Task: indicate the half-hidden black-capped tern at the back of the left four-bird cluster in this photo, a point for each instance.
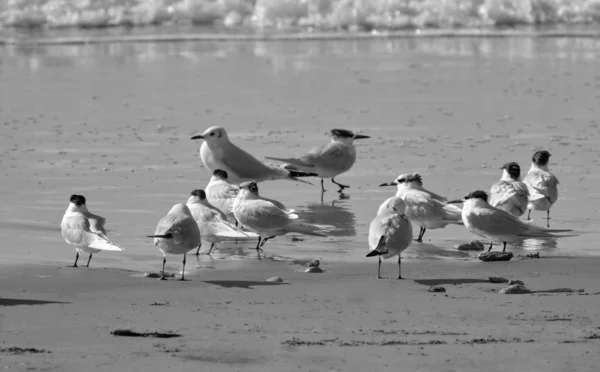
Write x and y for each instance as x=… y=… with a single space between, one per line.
x=221 y=194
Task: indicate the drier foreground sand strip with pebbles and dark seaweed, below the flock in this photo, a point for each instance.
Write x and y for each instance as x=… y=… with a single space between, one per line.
x=341 y=320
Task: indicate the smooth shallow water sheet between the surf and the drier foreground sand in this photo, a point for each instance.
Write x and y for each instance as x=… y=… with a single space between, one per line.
x=112 y=121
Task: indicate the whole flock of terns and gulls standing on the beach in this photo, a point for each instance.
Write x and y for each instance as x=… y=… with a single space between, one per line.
x=230 y=208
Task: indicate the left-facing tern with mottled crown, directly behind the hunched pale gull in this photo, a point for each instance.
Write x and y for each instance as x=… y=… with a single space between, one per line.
x=425 y=208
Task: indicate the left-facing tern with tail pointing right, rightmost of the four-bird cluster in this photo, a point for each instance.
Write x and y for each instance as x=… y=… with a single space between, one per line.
x=266 y=219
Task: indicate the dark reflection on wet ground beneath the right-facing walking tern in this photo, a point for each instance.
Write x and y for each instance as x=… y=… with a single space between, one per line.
x=337 y=214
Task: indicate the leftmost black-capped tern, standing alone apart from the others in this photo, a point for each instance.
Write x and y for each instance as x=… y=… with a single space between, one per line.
x=85 y=230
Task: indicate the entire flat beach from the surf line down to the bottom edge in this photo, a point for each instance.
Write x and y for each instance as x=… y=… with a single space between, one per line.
x=113 y=122
